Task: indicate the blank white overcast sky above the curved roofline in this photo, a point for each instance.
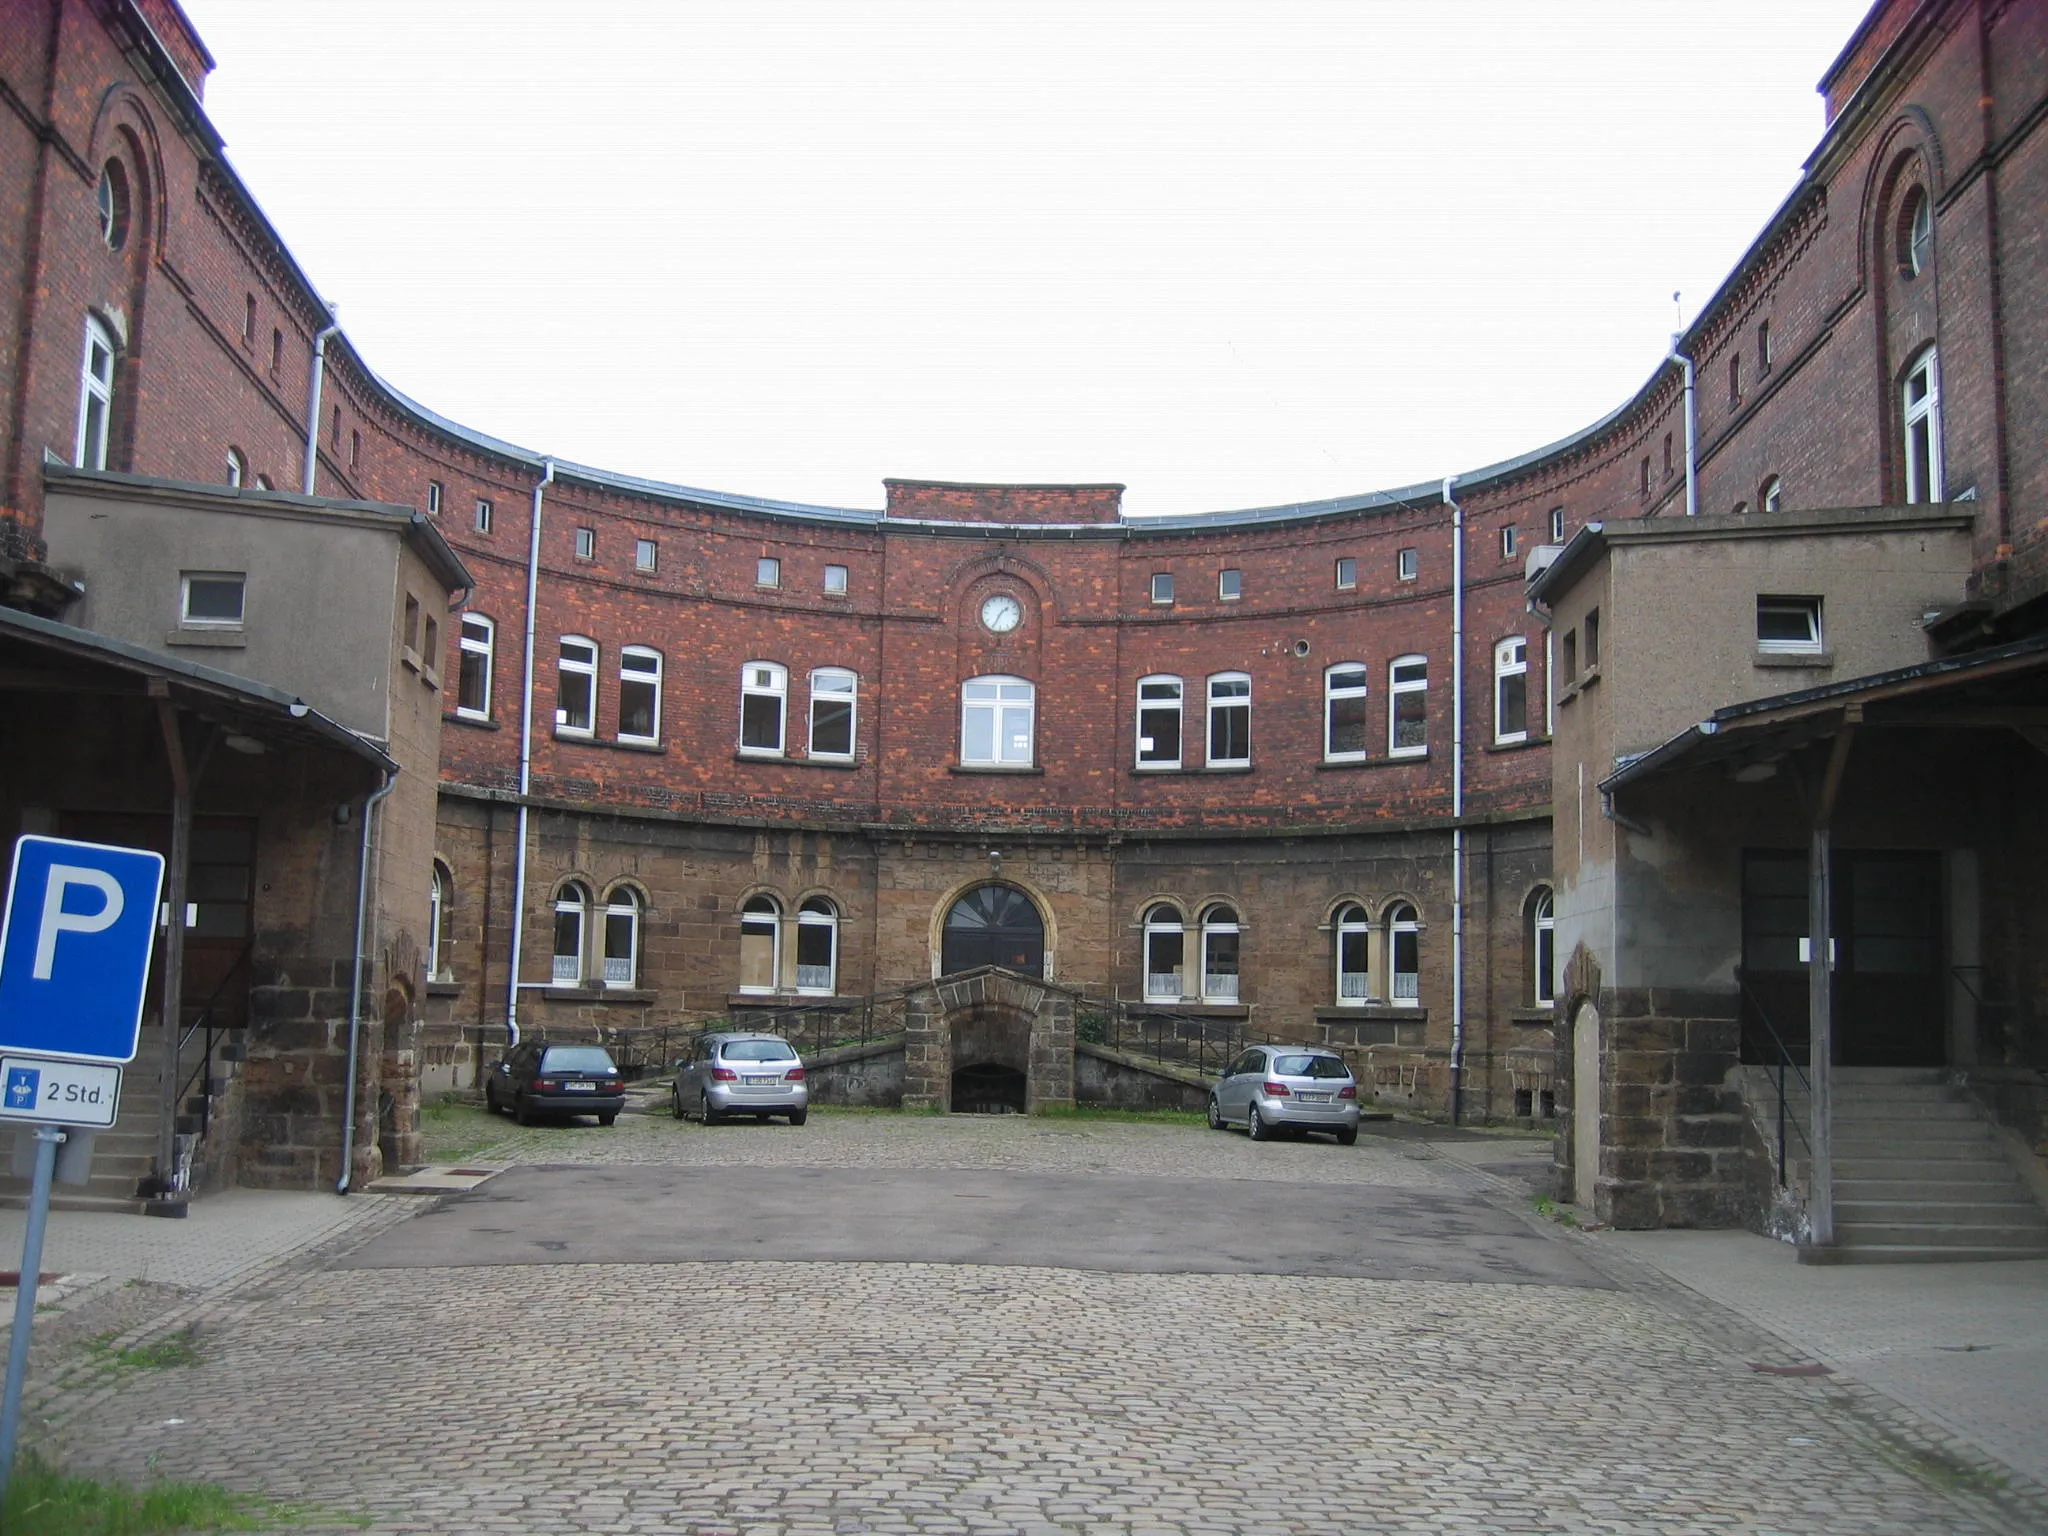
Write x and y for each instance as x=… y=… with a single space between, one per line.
x=1230 y=253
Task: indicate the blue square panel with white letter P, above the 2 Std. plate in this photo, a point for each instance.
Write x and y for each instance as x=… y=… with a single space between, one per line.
x=75 y=949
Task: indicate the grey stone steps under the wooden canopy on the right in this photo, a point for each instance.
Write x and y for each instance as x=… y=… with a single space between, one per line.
x=1922 y=1177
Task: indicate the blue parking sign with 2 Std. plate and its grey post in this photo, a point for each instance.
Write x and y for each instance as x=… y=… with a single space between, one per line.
x=75 y=962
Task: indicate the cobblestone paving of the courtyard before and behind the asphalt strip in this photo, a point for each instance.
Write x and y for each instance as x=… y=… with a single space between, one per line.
x=781 y=1400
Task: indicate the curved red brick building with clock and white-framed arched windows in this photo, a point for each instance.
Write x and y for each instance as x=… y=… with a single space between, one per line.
x=1285 y=769
